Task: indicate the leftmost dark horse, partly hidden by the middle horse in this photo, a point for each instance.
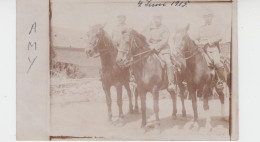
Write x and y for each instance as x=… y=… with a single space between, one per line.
x=111 y=74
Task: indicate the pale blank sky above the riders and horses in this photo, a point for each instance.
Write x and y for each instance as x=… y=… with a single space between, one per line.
x=71 y=19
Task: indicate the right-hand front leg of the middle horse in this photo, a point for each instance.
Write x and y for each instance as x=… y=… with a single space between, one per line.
x=156 y=106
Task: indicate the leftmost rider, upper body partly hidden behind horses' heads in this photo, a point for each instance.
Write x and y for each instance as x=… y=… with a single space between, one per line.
x=117 y=32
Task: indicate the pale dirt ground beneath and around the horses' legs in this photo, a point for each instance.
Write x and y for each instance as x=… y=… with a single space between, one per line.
x=78 y=109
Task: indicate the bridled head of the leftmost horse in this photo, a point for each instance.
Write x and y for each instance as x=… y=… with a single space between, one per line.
x=95 y=36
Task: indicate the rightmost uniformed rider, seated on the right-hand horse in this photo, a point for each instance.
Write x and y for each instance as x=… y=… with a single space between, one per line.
x=209 y=38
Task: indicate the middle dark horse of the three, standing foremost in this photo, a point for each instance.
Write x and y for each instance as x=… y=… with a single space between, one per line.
x=149 y=74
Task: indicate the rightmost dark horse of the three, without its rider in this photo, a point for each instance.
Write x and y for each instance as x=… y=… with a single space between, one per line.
x=199 y=76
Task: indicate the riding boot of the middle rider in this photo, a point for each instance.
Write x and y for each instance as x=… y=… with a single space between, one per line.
x=171 y=73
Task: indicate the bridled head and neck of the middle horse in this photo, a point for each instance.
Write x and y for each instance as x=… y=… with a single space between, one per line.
x=131 y=44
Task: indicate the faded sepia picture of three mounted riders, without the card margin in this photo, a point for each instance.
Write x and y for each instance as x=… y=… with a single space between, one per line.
x=140 y=70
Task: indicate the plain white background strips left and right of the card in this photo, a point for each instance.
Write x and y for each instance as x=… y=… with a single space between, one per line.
x=249 y=49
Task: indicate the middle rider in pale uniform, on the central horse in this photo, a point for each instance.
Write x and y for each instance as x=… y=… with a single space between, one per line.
x=157 y=36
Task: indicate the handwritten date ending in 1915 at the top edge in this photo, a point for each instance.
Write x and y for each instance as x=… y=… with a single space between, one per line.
x=152 y=3
